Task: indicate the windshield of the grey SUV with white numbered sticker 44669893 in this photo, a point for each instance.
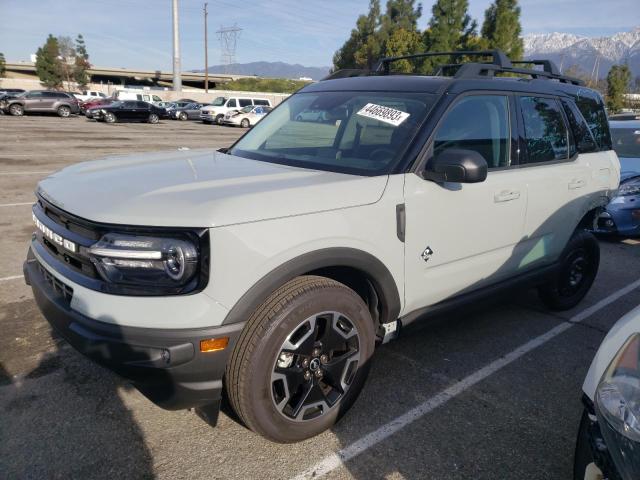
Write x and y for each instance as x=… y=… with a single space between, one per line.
x=362 y=133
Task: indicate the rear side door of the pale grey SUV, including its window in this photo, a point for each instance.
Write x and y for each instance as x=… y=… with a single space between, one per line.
x=559 y=184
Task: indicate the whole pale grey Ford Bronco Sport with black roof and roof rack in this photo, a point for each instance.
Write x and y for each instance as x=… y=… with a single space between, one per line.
x=271 y=269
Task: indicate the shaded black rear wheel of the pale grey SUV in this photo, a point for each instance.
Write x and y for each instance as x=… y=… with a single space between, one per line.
x=578 y=268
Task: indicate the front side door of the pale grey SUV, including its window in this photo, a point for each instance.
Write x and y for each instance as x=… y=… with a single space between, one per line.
x=460 y=237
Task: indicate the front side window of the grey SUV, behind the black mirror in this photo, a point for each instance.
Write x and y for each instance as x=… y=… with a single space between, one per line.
x=479 y=123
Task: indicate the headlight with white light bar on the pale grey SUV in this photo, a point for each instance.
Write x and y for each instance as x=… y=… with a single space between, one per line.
x=146 y=261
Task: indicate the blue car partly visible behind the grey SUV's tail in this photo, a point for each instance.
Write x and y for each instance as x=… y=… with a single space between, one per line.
x=622 y=215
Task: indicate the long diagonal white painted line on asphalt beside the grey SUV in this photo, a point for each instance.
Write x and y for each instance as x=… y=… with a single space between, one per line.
x=337 y=459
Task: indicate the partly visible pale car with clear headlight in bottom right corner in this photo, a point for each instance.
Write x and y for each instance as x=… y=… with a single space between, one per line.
x=609 y=436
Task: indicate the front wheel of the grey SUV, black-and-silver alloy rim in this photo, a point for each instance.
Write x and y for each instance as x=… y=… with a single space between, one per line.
x=256 y=384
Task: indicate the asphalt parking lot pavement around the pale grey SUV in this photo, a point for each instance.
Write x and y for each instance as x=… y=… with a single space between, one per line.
x=491 y=392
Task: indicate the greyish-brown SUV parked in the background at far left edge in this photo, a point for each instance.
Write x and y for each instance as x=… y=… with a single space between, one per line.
x=42 y=101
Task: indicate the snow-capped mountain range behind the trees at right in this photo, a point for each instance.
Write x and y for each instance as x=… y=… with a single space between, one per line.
x=569 y=50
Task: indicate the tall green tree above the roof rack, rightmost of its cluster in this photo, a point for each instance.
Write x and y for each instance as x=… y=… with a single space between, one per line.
x=501 y=28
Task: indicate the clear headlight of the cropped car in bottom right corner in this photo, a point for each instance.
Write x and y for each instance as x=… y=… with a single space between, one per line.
x=618 y=394
